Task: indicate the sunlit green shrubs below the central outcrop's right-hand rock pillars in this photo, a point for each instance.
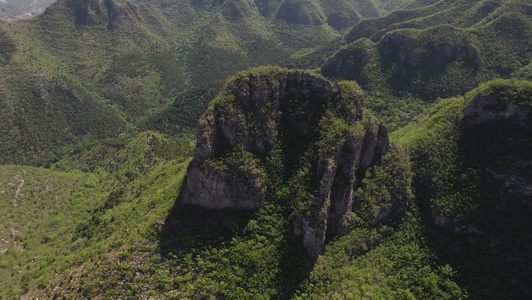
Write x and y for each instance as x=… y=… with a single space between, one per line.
x=382 y=262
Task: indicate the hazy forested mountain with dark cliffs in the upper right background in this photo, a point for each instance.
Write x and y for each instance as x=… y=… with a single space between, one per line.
x=439 y=50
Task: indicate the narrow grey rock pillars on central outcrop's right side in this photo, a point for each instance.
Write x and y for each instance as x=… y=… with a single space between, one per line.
x=329 y=212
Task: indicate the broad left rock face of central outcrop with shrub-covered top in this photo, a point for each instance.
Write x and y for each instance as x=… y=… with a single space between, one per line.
x=247 y=119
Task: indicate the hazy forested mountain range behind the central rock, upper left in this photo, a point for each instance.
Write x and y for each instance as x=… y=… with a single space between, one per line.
x=119 y=64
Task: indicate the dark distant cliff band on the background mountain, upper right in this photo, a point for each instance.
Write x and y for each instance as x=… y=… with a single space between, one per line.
x=410 y=62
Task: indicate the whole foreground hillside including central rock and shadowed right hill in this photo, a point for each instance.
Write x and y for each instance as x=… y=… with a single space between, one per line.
x=128 y=236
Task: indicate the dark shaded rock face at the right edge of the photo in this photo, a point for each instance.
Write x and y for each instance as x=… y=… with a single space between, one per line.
x=490 y=115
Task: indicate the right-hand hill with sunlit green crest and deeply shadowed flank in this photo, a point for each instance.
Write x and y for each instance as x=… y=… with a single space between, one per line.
x=471 y=159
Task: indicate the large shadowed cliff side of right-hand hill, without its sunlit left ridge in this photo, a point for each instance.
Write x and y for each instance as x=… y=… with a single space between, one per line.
x=493 y=187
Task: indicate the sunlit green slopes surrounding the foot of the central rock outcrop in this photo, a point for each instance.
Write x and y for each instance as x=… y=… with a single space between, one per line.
x=125 y=235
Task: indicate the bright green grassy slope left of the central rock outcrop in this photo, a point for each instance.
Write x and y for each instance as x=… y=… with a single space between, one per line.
x=59 y=221
